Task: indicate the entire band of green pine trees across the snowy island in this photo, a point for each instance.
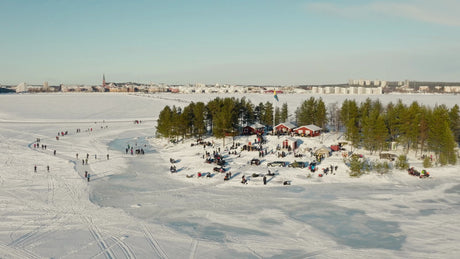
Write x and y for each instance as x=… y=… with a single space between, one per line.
x=368 y=125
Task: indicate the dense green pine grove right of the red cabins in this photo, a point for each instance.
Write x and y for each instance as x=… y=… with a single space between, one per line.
x=419 y=128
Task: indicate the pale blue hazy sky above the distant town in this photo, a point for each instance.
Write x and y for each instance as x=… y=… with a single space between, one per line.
x=239 y=42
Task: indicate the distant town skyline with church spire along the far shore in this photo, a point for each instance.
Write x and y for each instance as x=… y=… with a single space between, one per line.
x=352 y=87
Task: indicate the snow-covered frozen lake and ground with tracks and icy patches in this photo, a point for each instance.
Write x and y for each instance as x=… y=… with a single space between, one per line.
x=133 y=207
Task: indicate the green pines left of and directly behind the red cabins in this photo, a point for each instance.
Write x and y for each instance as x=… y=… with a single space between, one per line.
x=226 y=116
